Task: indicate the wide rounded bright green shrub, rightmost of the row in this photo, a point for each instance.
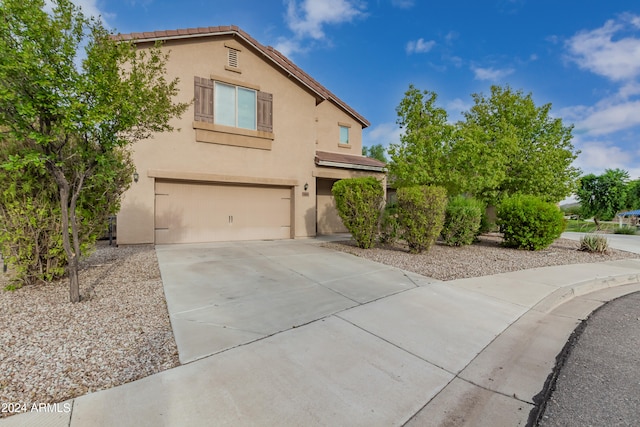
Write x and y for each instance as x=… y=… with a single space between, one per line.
x=528 y=222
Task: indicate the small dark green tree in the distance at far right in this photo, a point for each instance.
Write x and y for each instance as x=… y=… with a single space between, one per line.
x=602 y=196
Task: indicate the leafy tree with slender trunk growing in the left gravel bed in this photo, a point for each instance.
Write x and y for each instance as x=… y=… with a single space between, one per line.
x=75 y=121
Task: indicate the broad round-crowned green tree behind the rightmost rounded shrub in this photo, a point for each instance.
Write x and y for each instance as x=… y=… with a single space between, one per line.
x=508 y=145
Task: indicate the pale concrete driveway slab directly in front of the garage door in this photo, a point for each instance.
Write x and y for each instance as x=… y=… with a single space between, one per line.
x=221 y=295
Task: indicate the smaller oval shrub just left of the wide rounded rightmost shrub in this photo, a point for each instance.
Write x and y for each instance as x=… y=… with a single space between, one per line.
x=463 y=217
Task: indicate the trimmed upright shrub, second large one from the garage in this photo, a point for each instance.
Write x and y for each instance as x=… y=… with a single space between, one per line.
x=421 y=215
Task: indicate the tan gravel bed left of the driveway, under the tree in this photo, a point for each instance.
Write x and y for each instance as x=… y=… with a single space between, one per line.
x=52 y=350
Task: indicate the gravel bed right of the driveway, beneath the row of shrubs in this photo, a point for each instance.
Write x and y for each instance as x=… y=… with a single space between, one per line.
x=484 y=258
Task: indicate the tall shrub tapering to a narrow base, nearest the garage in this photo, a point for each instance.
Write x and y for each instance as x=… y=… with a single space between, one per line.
x=359 y=203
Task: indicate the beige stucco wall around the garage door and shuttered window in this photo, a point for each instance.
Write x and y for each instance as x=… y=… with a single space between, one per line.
x=284 y=158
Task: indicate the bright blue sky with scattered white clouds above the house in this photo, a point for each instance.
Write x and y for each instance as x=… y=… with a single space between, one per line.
x=582 y=56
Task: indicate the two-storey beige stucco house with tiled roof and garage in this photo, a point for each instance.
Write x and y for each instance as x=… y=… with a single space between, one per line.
x=257 y=151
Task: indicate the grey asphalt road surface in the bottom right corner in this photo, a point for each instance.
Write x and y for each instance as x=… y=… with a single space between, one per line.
x=599 y=383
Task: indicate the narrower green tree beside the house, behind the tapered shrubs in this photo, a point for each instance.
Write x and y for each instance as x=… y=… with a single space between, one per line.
x=422 y=155
